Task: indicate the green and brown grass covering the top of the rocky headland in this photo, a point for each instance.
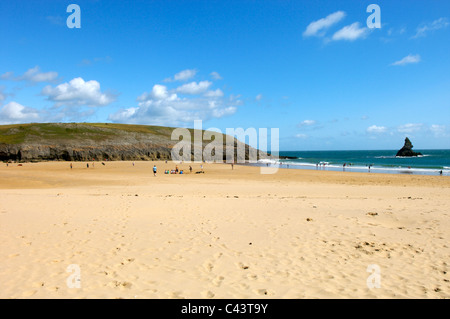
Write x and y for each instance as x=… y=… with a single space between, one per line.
x=22 y=133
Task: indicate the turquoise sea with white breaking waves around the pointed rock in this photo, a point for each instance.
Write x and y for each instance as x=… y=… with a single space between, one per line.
x=432 y=162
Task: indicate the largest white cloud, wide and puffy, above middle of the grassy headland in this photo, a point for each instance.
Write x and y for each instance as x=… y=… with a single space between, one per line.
x=160 y=107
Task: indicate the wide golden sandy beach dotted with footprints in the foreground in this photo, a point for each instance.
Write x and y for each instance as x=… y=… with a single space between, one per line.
x=227 y=233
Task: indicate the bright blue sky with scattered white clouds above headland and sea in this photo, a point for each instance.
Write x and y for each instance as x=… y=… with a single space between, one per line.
x=313 y=69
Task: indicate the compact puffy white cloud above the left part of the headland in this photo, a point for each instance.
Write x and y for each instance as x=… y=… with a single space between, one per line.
x=78 y=92
